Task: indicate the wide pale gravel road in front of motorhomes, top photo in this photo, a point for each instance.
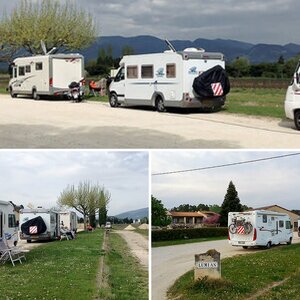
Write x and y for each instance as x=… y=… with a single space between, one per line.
x=25 y=123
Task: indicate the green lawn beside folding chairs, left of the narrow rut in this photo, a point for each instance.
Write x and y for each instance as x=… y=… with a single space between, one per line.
x=55 y=270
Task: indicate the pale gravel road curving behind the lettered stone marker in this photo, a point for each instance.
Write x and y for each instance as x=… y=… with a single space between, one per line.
x=171 y=262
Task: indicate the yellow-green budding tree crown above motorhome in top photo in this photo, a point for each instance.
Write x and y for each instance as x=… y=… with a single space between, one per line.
x=60 y=25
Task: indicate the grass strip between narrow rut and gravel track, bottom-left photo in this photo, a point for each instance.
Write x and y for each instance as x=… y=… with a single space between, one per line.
x=127 y=280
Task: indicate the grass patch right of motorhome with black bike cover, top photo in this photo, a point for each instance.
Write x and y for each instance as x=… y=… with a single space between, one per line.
x=258 y=102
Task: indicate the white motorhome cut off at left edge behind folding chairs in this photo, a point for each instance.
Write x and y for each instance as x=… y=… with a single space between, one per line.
x=8 y=225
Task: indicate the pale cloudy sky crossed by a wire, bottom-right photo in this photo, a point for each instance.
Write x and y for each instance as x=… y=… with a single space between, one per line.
x=259 y=184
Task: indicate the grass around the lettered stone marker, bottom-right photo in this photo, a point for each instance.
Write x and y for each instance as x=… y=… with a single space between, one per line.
x=244 y=276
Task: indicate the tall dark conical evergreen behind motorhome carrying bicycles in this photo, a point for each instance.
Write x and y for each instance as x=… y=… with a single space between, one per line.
x=231 y=203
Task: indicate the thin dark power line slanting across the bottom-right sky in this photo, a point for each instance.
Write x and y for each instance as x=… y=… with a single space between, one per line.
x=227 y=165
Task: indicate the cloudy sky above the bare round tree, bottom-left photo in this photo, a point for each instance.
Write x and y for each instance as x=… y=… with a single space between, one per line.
x=38 y=177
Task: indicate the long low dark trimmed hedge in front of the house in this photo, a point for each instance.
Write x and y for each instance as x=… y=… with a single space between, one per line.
x=188 y=233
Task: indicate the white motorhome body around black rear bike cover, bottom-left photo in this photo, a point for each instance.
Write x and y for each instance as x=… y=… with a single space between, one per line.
x=51 y=219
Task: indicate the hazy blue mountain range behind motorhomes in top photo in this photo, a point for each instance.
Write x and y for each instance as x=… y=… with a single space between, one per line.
x=256 y=53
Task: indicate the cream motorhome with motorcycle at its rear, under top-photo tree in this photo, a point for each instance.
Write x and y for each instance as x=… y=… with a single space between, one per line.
x=45 y=75
